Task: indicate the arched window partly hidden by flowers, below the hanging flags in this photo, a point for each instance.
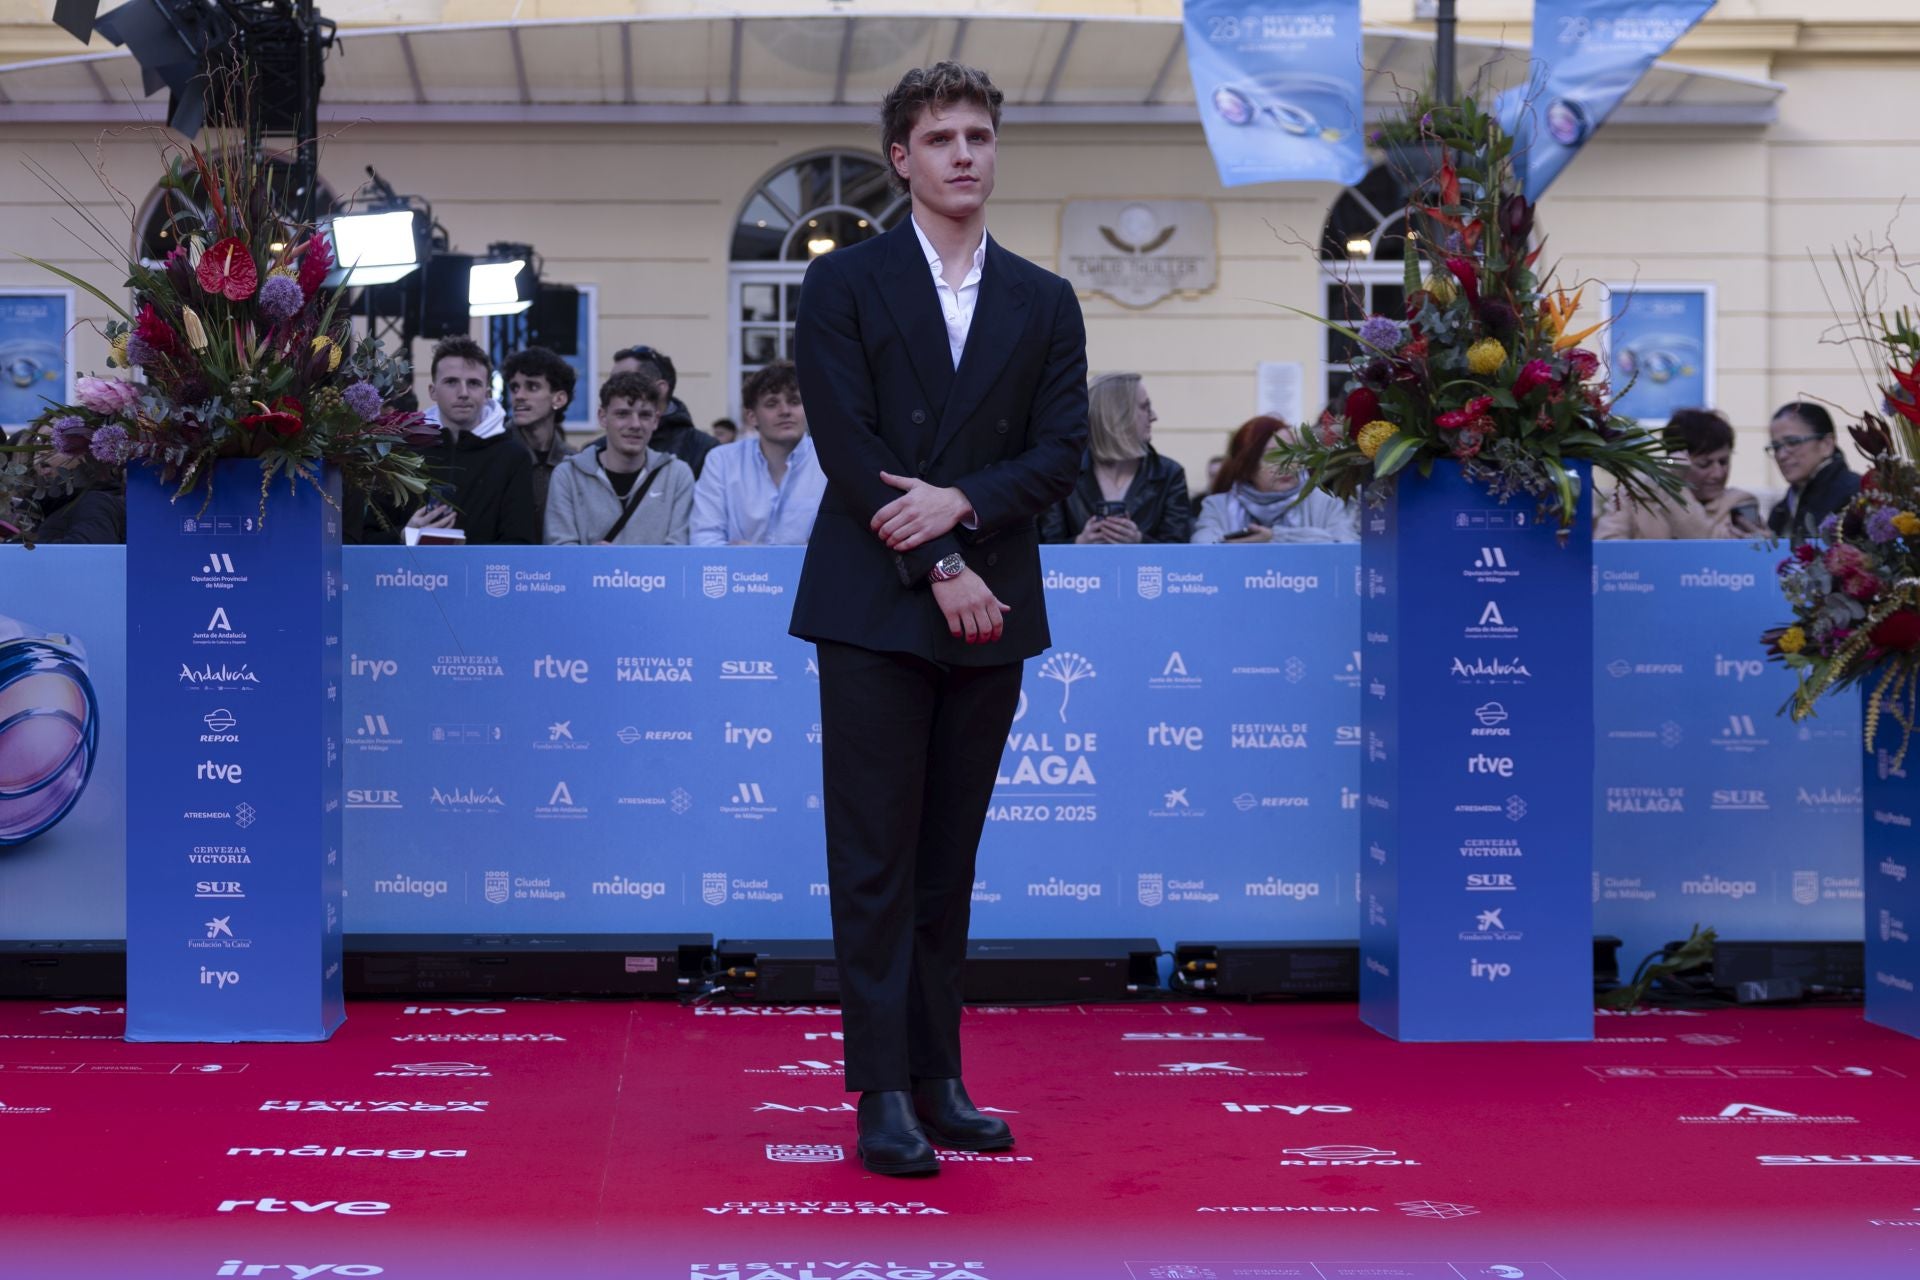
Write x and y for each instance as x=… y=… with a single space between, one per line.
x=1362 y=268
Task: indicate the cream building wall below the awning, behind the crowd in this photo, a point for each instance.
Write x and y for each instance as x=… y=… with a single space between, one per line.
x=646 y=214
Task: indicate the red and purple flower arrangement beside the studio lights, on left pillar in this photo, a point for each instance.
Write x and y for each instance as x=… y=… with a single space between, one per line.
x=241 y=352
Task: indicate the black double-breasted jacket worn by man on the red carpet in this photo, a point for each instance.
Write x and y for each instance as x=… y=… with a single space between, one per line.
x=882 y=396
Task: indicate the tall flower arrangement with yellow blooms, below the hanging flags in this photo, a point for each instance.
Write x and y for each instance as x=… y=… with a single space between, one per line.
x=1485 y=367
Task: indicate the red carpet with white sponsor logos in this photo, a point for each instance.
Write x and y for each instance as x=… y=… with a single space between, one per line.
x=1157 y=1143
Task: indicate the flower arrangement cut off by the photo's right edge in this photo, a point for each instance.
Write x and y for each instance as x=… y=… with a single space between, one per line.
x=1858 y=598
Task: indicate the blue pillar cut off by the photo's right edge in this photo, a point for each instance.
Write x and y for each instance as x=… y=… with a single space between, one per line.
x=1890 y=799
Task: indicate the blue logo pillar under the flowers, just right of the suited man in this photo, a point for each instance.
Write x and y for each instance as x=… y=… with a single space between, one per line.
x=1477 y=815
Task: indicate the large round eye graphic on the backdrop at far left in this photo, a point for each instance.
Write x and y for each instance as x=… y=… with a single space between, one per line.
x=49 y=730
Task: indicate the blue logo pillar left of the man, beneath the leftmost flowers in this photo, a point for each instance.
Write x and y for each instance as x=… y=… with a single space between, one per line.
x=233 y=761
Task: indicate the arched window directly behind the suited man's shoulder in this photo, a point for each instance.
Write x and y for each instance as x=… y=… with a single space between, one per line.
x=811 y=206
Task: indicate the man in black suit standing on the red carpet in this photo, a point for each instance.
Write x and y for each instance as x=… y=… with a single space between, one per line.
x=946 y=387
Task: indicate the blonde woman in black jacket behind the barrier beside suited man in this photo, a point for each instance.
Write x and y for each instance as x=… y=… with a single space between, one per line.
x=1126 y=492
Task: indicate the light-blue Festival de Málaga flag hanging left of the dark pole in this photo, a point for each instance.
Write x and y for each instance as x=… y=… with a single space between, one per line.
x=1280 y=89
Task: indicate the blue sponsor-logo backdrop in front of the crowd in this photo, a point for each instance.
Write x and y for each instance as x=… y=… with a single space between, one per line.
x=627 y=740
